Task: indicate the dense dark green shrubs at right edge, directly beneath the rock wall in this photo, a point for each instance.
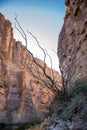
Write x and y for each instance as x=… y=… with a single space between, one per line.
x=77 y=105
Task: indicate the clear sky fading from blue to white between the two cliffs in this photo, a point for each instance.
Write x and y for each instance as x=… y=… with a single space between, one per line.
x=44 y=18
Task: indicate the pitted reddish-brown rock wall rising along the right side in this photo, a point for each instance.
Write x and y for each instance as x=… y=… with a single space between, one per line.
x=72 y=45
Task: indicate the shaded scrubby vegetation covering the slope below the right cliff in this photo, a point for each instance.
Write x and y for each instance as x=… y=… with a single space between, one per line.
x=67 y=114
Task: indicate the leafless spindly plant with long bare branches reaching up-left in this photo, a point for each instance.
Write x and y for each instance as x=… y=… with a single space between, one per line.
x=47 y=78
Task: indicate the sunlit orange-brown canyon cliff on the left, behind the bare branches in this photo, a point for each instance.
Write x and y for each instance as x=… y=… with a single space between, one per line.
x=23 y=98
